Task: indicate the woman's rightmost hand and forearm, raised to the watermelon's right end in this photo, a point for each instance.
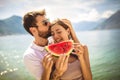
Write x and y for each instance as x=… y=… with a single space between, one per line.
x=82 y=53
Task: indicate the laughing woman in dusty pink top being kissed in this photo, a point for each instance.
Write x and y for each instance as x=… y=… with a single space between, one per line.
x=69 y=67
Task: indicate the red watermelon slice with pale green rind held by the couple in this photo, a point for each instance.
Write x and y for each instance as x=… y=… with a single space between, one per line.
x=57 y=49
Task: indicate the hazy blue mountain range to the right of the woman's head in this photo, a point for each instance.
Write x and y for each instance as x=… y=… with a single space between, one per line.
x=113 y=22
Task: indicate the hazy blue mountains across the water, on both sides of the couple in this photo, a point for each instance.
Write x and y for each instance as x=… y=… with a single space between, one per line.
x=13 y=25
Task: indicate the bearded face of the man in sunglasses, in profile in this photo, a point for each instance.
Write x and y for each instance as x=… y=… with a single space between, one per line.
x=43 y=26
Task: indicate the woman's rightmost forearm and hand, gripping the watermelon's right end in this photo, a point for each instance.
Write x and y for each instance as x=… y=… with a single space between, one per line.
x=80 y=51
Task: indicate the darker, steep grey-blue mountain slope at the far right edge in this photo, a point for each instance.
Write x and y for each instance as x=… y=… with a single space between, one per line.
x=112 y=22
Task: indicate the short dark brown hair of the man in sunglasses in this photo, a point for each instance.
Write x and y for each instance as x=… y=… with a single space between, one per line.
x=29 y=19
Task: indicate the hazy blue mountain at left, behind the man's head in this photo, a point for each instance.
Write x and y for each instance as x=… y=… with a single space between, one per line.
x=12 y=25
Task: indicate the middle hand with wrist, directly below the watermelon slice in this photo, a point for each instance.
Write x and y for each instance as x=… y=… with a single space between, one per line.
x=61 y=65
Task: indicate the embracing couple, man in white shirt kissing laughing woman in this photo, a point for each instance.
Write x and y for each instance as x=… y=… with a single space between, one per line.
x=41 y=63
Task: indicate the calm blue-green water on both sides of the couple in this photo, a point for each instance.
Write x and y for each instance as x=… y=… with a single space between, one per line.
x=104 y=52
